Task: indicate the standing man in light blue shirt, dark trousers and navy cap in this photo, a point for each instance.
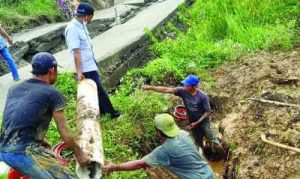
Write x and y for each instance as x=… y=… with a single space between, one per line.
x=81 y=50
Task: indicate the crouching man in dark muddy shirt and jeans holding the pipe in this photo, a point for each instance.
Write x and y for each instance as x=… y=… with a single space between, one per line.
x=28 y=111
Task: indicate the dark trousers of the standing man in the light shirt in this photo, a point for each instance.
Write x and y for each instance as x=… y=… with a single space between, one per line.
x=104 y=102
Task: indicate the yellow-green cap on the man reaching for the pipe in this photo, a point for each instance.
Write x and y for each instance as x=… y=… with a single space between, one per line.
x=166 y=124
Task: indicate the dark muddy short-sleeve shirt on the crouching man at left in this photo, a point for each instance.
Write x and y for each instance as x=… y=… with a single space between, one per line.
x=27 y=115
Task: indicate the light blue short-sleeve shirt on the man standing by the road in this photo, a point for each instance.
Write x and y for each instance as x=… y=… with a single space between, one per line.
x=77 y=37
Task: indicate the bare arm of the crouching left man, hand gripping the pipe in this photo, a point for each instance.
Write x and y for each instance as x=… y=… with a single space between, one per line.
x=67 y=136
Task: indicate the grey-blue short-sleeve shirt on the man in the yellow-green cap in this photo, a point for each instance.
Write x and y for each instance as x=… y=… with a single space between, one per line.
x=180 y=156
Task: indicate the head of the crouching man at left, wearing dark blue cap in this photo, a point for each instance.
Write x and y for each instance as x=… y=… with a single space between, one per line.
x=44 y=64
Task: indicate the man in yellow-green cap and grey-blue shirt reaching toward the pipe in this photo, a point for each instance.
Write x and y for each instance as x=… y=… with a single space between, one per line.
x=177 y=153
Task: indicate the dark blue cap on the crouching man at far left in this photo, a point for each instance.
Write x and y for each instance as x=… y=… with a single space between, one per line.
x=42 y=62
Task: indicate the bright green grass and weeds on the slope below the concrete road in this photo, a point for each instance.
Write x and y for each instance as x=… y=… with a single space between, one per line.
x=216 y=32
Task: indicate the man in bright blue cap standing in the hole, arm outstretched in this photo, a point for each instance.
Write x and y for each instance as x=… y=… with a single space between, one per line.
x=197 y=105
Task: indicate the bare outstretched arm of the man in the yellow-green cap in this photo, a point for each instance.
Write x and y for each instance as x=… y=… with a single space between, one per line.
x=128 y=166
